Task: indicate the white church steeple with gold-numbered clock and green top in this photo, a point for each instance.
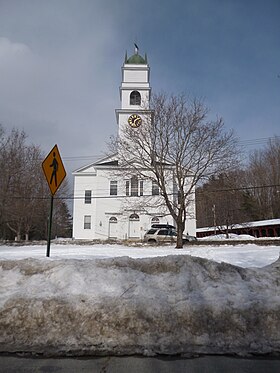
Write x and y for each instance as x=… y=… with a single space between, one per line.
x=134 y=92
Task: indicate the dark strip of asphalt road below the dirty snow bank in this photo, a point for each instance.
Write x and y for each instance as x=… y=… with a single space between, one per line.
x=206 y=364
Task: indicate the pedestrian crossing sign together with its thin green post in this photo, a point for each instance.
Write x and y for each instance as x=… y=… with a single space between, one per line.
x=55 y=173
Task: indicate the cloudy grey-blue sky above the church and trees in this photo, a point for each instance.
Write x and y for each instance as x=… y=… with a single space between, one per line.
x=60 y=65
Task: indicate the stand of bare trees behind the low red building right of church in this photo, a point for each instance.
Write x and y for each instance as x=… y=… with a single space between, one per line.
x=244 y=195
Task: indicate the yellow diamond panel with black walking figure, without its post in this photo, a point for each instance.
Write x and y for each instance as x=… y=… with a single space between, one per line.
x=54 y=169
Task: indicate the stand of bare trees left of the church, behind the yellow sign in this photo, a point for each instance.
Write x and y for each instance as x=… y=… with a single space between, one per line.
x=24 y=192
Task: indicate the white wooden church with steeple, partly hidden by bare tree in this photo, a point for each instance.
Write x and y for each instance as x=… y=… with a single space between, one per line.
x=112 y=205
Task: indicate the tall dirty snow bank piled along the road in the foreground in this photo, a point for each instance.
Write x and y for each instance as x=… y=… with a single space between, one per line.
x=164 y=305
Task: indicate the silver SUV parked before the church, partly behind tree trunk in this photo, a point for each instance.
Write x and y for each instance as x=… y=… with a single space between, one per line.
x=165 y=235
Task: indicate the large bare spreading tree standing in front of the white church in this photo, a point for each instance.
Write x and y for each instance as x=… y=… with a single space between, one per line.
x=177 y=144
